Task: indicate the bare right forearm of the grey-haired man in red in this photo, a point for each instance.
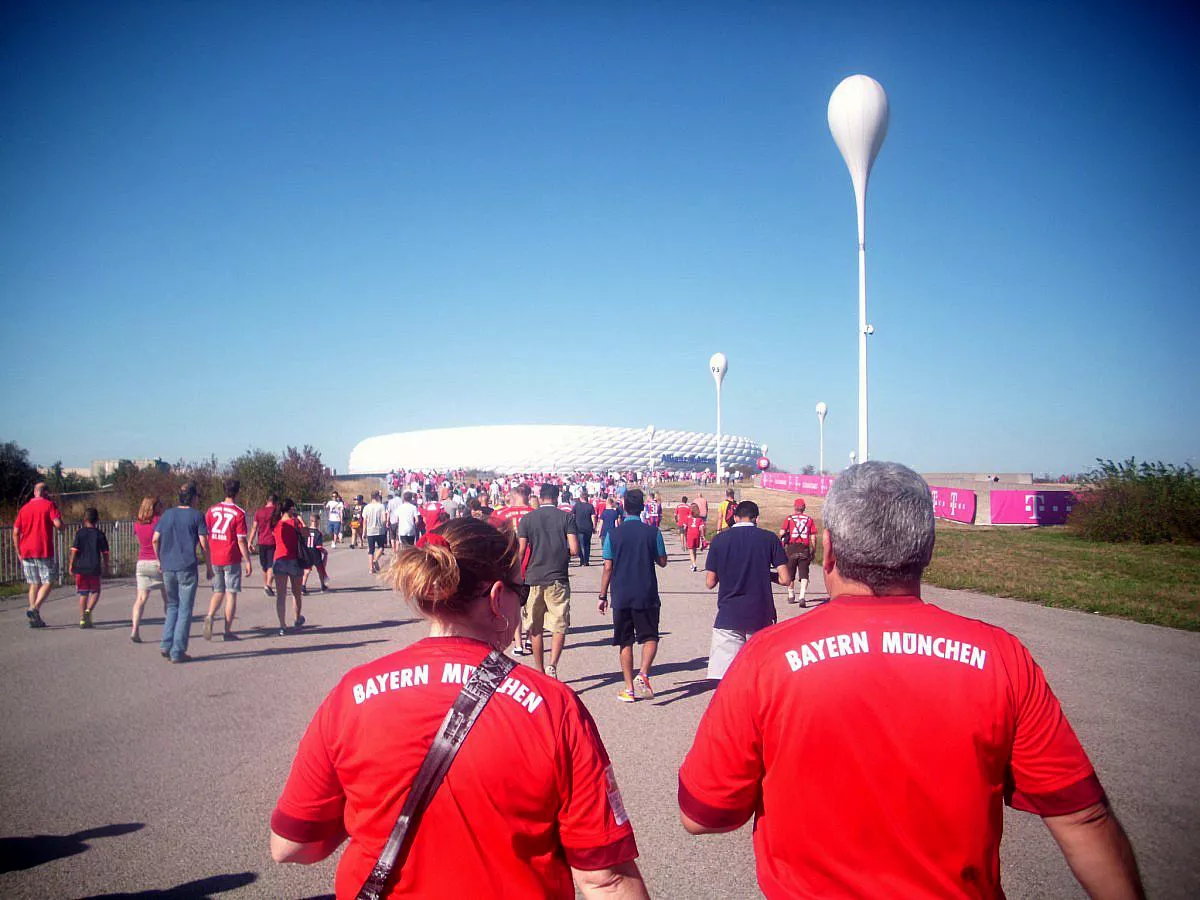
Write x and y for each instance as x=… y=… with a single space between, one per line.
x=1099 y=853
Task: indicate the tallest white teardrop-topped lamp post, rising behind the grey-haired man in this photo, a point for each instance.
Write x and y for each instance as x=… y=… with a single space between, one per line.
x=859 y=121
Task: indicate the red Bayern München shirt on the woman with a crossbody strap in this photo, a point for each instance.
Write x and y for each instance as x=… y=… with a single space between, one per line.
x=531 y=794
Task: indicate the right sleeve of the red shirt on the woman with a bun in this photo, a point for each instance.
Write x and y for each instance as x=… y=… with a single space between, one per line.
x=592 y=820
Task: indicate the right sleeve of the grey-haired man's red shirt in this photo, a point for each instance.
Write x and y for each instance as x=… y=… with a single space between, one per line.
x=1049 y=773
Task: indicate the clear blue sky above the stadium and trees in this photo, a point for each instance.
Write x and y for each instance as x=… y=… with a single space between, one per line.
x=254 y=225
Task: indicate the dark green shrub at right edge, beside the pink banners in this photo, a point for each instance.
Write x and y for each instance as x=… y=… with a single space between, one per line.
x=1144 y=502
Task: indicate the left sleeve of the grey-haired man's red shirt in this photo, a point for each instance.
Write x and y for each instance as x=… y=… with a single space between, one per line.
x=721 y=778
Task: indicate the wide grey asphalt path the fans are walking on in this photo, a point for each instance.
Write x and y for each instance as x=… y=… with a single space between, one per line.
x=127 y=777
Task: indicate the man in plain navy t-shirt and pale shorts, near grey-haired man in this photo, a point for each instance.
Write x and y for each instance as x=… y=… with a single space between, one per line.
x=741 y=561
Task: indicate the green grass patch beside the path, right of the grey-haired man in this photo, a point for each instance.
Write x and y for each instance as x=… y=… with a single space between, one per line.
x=1154 y=584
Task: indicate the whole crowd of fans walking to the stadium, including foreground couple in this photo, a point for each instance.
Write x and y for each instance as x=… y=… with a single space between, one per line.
x=879 y=686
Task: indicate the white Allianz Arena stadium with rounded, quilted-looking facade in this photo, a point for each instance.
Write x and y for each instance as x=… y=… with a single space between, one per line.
x=550 y=448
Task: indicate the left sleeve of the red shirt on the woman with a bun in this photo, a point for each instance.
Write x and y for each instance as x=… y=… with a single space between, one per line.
x=314 y=802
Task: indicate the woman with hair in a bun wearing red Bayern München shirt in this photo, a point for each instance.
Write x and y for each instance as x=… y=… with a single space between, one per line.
x=517 y=824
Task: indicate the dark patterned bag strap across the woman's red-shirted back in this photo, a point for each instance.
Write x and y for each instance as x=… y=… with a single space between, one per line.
x=469 y=705
